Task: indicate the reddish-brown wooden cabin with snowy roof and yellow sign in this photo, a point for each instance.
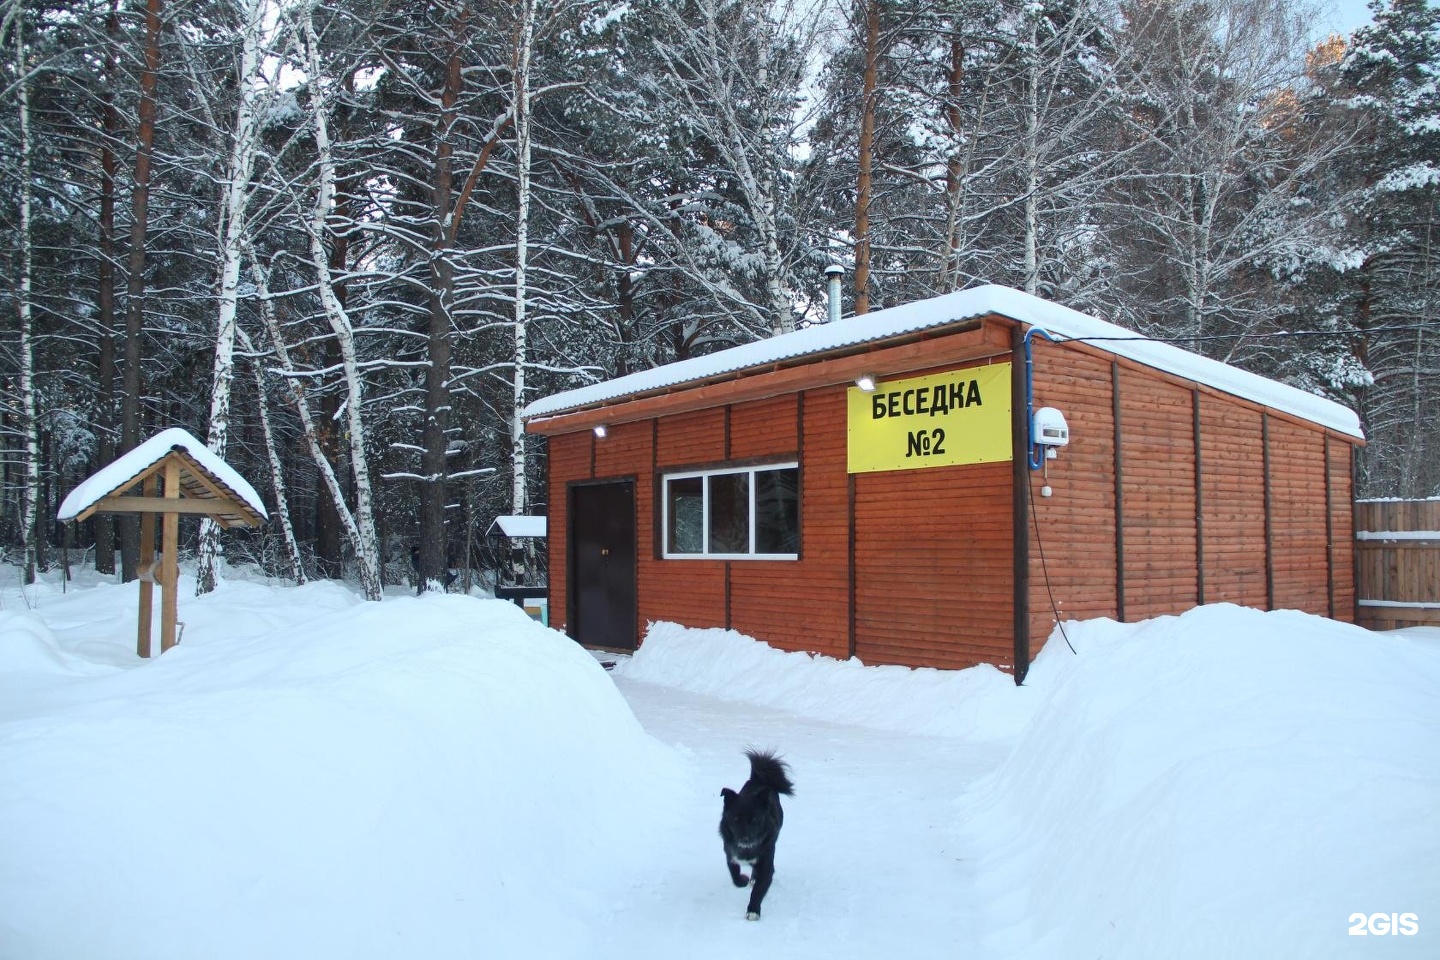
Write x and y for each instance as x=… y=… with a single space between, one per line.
x=937 y=484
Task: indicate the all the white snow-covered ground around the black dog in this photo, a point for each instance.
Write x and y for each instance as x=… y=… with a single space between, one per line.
x=313 y=776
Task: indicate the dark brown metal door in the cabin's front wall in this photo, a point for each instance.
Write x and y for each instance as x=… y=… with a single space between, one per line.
x=603 y=558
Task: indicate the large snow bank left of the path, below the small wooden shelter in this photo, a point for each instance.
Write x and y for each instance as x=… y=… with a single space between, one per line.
x=313 y=776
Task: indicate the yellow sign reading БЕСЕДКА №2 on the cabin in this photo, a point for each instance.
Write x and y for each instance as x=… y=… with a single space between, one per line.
x=953 y=418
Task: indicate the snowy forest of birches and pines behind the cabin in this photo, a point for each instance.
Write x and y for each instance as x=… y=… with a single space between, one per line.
x=345 y=243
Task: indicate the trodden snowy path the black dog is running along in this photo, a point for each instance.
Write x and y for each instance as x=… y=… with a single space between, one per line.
x=843 y=887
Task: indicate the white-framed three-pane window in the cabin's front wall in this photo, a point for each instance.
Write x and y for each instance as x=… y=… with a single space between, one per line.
x=751 y=513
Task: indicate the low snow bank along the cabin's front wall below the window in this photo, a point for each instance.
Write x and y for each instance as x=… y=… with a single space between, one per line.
x=981 y=703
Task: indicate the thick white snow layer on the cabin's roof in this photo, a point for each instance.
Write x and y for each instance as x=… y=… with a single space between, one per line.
x=951 y=309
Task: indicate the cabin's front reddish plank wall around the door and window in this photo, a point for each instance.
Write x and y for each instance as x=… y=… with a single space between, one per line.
x=932 y=549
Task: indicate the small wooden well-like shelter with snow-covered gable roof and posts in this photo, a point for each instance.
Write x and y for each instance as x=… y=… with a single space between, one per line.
x=197 y=483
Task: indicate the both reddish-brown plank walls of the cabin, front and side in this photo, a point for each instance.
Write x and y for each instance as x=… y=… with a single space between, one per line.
x=915 y=566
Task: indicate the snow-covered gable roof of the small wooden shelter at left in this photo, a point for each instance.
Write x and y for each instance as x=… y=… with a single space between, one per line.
x=127 y=470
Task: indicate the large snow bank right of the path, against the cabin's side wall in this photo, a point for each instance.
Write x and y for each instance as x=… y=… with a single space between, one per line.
x=1220 y=784
